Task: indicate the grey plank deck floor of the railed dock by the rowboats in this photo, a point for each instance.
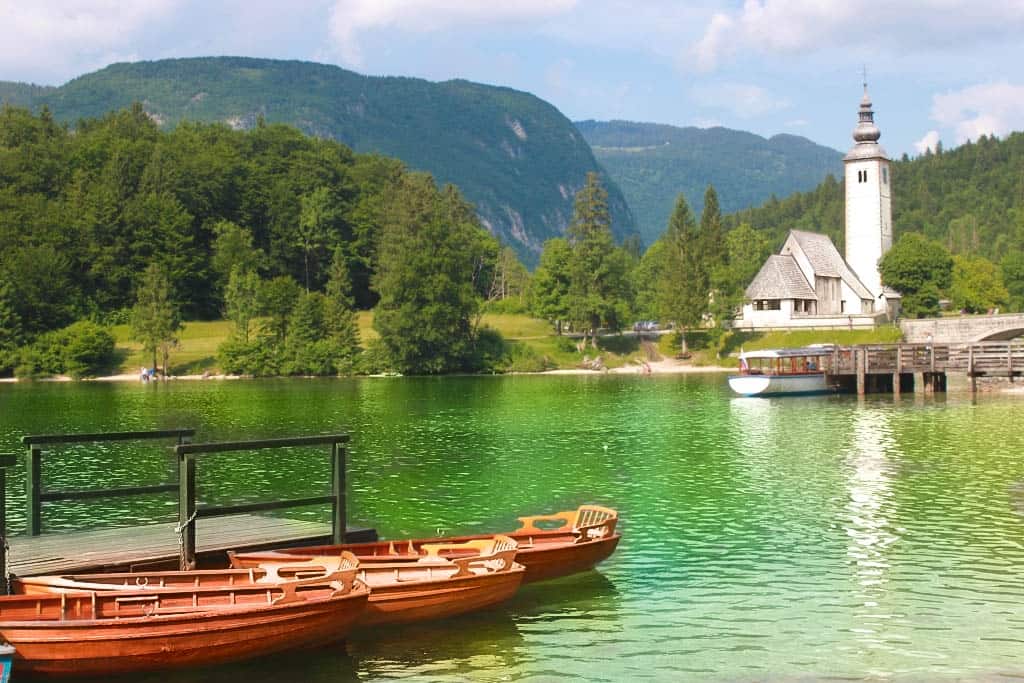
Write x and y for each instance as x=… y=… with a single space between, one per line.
x=157 y=545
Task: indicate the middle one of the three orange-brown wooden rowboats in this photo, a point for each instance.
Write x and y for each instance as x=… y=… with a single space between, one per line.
x=482 y=575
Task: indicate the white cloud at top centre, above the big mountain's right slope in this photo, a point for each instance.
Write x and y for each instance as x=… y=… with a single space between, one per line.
x=351 y=18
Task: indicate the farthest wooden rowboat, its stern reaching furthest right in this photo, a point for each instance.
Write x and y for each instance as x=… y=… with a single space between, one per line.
x=545 y=556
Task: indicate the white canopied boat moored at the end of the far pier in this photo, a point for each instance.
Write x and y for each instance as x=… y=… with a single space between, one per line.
x=783 y=372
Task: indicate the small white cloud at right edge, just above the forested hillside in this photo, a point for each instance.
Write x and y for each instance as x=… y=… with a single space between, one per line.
x=980 y=110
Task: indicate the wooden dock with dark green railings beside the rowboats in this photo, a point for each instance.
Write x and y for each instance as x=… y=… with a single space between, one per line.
x=202 y=534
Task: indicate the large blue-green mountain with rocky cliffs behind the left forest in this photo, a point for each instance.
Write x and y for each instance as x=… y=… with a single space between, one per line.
x=515 y=156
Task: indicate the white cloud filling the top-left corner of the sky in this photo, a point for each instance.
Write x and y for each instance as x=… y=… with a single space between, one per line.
x=41 y=39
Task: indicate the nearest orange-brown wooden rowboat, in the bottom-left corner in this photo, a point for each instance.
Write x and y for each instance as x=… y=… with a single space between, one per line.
x=119 y=628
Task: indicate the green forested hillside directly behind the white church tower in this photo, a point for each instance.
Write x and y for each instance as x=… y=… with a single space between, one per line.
x=970 y=199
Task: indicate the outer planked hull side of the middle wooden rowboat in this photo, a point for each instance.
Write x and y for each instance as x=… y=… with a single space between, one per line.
x=418 y=602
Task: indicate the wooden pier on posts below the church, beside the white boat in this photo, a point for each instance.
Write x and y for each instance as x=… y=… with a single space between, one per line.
x=900 y=368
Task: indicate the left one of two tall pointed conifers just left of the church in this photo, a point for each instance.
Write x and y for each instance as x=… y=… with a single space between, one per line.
x=684 y=291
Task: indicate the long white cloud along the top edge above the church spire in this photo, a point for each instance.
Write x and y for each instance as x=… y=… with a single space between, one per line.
x=800 y=27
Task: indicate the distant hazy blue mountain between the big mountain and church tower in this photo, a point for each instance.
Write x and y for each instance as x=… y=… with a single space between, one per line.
x=653 y=163
